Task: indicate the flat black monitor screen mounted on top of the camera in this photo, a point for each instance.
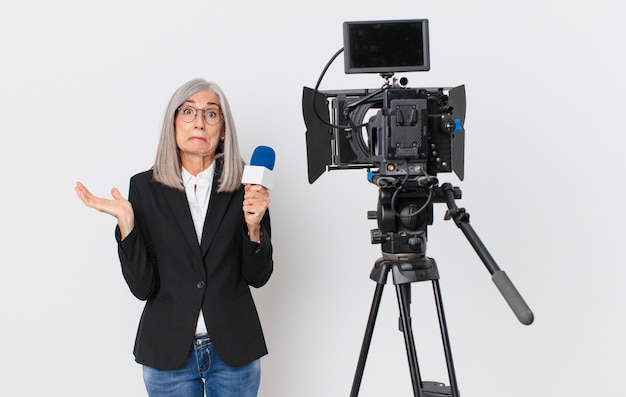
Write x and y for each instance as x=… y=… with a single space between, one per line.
x=386 y=46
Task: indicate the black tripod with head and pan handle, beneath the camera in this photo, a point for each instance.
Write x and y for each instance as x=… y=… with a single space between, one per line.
x=403 y=239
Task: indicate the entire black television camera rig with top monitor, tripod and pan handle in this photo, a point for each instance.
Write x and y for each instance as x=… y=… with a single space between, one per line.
x=404 y=137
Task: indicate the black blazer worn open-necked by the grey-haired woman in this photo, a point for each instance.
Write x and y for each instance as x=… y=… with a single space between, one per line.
x=164 y=265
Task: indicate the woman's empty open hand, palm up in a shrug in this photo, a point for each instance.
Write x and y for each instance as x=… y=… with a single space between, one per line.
x=118 y=207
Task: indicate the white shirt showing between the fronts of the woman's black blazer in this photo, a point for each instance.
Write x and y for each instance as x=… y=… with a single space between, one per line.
x=198 y=190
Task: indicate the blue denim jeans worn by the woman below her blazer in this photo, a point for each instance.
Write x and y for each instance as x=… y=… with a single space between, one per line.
x=204 y=372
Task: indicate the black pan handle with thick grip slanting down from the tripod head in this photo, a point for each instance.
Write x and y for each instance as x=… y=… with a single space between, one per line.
x=499 y=277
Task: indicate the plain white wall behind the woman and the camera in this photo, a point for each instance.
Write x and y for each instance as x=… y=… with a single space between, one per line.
x=83 y=88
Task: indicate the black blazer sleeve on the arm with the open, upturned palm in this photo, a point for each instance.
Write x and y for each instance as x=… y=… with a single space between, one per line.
x=136 y=256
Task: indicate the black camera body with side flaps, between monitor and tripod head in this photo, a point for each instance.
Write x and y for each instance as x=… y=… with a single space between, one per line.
x=413 y=132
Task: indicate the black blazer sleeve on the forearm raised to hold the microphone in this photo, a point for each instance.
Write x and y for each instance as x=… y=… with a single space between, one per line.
x=258 y=263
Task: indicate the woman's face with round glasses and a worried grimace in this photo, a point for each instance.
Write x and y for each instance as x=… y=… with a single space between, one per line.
x=197 y=137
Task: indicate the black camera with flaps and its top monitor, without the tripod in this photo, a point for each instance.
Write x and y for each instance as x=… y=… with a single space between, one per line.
x=396 y=131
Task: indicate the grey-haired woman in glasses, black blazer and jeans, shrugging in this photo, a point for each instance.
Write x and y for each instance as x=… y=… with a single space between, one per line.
x=191 y=242
